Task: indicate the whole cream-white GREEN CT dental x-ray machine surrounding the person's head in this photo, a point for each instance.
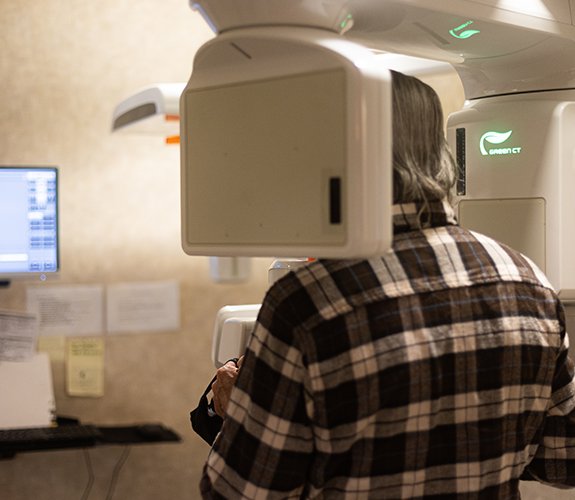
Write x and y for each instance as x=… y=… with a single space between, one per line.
x=286 y=125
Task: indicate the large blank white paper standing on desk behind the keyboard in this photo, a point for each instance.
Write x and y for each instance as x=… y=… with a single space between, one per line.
x=26 y=393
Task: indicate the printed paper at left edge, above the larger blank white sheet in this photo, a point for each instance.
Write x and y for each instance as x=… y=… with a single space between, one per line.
x=18 y=335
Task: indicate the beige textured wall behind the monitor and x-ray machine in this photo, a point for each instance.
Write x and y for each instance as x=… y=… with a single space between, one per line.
x=64 y=66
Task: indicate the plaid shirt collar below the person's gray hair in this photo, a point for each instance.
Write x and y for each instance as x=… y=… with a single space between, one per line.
x=416 y=216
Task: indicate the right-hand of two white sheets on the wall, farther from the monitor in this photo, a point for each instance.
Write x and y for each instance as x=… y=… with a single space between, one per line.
x=143 y=307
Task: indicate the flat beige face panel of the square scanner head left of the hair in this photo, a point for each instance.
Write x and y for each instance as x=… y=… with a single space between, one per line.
x=272 y=147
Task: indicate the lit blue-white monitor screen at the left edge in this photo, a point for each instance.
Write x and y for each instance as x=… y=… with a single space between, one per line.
x=29 y=243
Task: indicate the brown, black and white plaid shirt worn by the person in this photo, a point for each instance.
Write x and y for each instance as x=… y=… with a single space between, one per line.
x=439 y=370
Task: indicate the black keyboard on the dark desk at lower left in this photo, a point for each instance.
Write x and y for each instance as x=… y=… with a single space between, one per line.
x=42 y=438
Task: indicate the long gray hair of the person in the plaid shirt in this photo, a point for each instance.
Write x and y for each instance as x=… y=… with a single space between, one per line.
x=423 y=167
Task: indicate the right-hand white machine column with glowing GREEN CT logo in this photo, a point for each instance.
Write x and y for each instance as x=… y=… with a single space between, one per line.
x=516 y=155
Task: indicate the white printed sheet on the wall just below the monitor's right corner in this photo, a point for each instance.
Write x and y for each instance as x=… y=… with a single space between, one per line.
x=71 y=310
